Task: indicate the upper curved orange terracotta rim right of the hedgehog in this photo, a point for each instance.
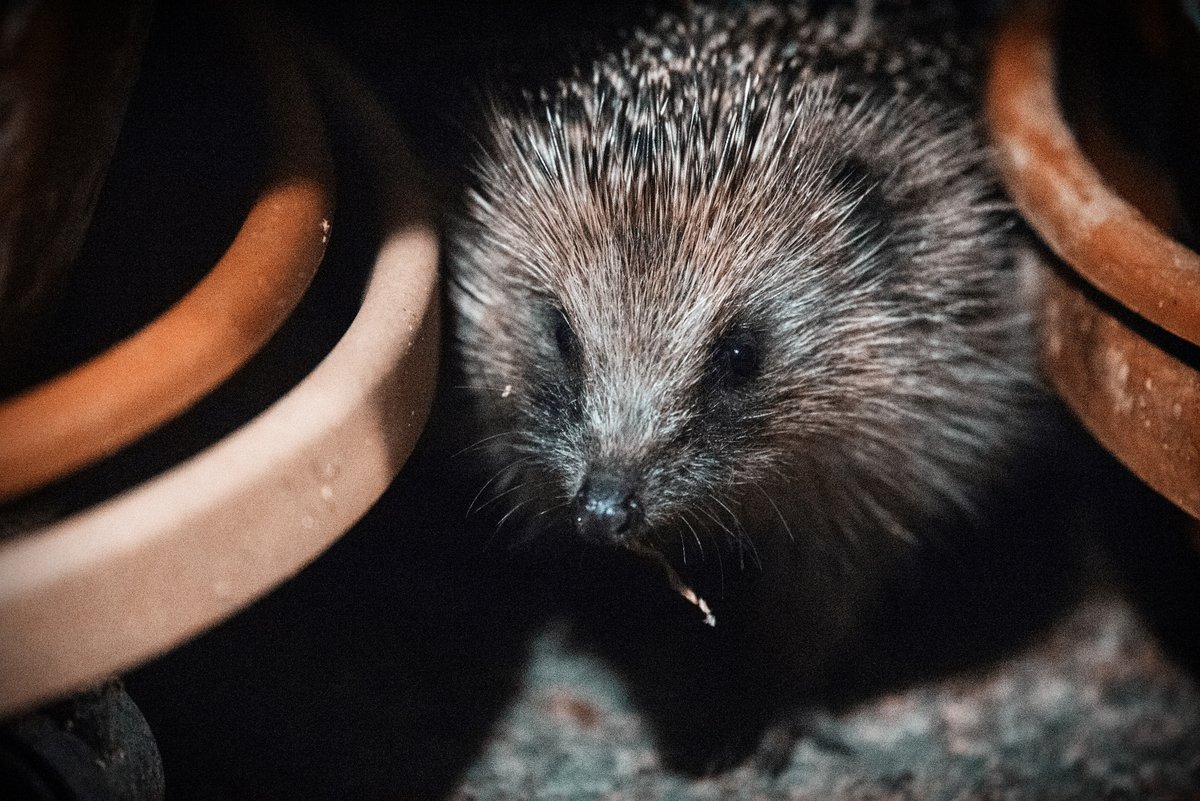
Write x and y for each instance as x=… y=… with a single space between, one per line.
x=1064 y=197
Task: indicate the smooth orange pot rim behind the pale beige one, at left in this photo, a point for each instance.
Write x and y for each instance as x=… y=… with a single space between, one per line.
x=111 y=401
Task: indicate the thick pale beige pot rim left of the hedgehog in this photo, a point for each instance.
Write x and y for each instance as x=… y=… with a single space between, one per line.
x=142 y=573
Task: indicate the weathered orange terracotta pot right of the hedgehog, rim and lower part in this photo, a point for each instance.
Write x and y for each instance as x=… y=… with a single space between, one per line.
x=1120 y=308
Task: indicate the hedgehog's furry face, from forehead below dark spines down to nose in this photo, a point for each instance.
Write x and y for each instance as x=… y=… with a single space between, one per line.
x=644 y=383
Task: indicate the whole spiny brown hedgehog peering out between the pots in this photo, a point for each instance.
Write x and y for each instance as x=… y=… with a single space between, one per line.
x=747 y=282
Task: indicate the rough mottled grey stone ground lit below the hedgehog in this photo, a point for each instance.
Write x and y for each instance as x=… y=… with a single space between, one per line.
x=1091 y=712
